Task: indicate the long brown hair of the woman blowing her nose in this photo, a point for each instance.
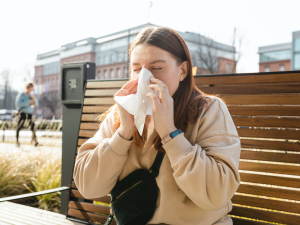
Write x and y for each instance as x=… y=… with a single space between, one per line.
x=189 y=101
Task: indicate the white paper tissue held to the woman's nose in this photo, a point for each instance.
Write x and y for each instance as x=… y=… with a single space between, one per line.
x=139 y=104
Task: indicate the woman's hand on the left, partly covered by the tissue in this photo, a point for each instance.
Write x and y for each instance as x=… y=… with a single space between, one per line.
x=127 y=127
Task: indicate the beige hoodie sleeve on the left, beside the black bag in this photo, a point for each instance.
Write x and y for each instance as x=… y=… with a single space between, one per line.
x=100 y=160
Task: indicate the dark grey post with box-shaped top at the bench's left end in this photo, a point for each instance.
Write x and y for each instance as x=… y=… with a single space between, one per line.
x=73 y=80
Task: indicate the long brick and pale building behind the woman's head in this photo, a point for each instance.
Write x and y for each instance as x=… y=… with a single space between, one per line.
x=110 y=54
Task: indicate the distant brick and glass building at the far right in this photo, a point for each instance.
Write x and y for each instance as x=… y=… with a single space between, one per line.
x=280 y=57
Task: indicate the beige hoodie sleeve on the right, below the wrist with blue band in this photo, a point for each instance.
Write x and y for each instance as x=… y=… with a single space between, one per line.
x=207 y=171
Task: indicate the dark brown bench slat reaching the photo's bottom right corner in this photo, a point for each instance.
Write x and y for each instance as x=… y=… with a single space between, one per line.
x=265 y=215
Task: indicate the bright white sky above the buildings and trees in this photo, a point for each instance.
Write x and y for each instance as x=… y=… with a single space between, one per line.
x=31 y=27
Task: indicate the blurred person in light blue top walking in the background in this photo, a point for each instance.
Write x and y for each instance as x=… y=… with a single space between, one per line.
x=25 y=102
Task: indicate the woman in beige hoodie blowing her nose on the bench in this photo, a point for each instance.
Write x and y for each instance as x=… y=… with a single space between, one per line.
x=199 y=173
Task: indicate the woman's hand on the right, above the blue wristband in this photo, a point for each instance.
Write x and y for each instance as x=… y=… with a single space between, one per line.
x=163 y=108
